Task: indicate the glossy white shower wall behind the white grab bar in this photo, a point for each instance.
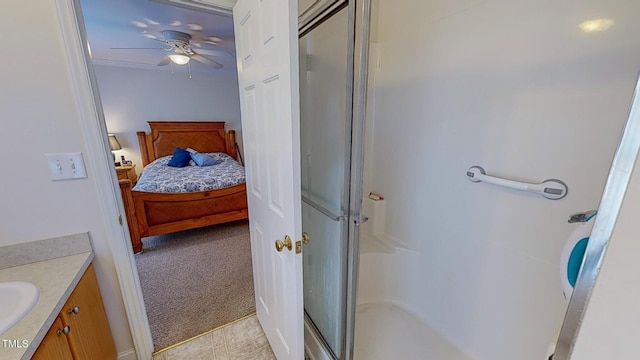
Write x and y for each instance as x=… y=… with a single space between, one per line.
x=517 y=88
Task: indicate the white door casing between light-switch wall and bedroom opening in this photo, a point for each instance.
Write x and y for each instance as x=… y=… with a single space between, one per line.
x=94 y=133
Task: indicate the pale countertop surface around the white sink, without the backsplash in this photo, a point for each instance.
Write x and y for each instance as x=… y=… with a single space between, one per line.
x=56 y=278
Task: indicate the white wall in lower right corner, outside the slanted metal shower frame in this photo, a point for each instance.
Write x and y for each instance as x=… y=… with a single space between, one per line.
x=611 y=325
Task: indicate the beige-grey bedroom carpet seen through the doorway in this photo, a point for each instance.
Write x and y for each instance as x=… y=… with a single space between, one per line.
x=196 y=280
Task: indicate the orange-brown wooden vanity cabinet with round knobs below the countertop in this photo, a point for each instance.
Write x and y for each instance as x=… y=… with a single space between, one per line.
x=85 y=323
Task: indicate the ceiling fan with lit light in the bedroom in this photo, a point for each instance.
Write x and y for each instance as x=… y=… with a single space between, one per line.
x=181 y=52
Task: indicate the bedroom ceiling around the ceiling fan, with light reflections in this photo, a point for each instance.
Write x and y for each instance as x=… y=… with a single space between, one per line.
x=133 y=23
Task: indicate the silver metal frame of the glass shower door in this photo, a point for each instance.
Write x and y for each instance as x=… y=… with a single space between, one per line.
x=359 y=16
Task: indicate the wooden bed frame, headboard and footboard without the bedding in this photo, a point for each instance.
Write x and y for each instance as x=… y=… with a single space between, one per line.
x=151 y=213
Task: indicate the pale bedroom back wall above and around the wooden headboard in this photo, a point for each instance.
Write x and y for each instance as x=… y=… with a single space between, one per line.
x=132 y=96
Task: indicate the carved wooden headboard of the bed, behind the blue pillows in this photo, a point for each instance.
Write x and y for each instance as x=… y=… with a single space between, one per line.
x=203 y=136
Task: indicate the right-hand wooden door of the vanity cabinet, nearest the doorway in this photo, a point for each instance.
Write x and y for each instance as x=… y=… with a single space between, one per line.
x=90 y=336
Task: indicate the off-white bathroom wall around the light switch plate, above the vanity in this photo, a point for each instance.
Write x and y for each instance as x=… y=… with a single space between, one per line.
x=39 y=116
